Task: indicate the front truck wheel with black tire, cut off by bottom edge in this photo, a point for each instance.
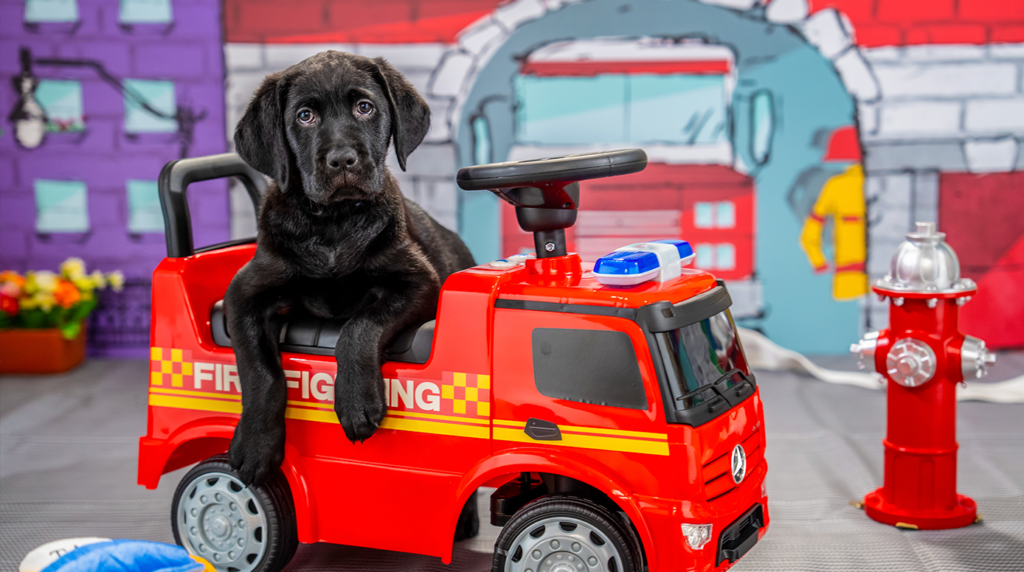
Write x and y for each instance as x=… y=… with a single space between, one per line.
x=567 y=534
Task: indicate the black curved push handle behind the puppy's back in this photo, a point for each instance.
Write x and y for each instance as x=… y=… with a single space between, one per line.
x=176 y=179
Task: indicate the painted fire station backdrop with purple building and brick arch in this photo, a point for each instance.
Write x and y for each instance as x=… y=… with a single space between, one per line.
x=794 y=143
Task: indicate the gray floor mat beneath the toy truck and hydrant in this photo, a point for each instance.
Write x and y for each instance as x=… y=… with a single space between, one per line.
x=68 y=452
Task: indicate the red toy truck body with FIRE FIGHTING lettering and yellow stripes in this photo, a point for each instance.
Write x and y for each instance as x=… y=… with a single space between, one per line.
x=456 y=423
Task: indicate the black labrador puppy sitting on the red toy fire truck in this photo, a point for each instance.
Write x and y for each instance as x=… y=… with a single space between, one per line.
x=336 y=240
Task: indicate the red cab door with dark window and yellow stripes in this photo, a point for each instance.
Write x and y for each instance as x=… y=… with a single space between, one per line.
x=580 y=385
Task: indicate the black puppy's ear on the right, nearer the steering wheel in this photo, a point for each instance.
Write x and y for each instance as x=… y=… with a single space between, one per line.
x=410 y=114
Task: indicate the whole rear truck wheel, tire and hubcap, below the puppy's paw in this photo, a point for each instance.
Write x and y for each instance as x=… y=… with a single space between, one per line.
x=234 y=527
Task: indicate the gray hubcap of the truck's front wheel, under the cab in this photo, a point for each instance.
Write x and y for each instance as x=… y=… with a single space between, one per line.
x=562 y=545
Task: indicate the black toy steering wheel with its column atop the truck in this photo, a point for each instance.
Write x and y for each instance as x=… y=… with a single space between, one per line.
x=546 y=192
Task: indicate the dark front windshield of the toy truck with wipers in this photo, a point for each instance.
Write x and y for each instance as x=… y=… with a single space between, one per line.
x=702 y=355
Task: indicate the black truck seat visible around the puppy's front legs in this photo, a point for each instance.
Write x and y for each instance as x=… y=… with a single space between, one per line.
x=316 y=336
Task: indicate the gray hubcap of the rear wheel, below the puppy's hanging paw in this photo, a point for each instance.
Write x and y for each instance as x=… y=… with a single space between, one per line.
x=221 y=520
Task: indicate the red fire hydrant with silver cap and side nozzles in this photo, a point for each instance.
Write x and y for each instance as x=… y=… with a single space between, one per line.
x=923 y=356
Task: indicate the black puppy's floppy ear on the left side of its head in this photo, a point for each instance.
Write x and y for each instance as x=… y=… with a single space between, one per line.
x=260 y=138
